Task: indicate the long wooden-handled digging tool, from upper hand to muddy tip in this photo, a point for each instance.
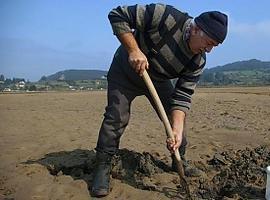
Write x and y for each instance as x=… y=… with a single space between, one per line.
x=168 y=128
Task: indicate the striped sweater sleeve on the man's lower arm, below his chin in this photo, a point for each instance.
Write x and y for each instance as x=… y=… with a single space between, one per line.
x=185 y=86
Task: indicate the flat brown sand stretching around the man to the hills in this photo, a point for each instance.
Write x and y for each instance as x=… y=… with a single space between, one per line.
x=38 y=126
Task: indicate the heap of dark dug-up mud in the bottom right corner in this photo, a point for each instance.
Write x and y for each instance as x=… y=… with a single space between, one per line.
x=240 y=174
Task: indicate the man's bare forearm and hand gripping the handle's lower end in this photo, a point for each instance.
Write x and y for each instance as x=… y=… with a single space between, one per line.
x=177 y=121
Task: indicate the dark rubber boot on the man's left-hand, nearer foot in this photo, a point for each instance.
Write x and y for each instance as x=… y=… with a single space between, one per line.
x=101 y=179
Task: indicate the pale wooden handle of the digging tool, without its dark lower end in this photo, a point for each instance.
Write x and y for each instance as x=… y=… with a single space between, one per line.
x=160 y=109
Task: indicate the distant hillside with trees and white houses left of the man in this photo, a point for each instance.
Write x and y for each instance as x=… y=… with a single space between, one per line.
x=64 y=80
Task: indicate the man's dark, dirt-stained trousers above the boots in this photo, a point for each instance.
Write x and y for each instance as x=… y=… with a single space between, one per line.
x=123 y=86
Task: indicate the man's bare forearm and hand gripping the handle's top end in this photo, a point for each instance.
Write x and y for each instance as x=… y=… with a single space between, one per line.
x=136 y=58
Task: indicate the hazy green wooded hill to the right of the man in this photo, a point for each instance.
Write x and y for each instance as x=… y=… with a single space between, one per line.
x=250 y=72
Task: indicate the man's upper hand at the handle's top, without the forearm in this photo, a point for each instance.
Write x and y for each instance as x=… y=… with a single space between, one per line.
x=138 y=61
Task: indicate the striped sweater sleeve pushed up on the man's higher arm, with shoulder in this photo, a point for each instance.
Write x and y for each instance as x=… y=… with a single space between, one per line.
x=124 y=19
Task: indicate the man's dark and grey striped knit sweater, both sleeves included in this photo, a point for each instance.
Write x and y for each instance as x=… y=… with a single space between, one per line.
x=174 y=59
